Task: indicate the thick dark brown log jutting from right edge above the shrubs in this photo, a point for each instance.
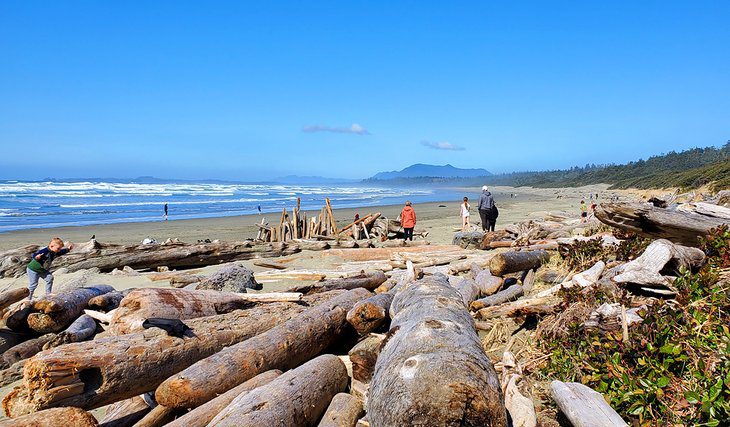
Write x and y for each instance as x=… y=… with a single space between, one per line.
x=660 y=223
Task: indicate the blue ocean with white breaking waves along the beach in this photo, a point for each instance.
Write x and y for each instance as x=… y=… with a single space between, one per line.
x=26 y=204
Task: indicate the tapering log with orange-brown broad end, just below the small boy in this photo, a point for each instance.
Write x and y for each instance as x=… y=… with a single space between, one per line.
x=55 y=312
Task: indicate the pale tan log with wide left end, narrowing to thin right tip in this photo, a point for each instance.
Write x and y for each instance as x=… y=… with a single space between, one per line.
x=143 y=304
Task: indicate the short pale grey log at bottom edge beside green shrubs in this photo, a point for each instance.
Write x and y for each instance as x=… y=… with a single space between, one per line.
x=584 y=407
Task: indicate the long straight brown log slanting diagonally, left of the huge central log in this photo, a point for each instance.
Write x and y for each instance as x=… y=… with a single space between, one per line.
x=283 y=347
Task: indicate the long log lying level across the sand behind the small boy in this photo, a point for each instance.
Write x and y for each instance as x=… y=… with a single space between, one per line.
x=107 y=257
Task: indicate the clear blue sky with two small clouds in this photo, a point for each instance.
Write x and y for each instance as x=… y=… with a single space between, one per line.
x=255 y=90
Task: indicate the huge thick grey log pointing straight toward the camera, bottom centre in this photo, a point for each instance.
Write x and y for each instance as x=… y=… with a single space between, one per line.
x=433 y=369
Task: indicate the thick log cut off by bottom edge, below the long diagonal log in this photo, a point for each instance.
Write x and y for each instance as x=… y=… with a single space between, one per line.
x=297 y=398
